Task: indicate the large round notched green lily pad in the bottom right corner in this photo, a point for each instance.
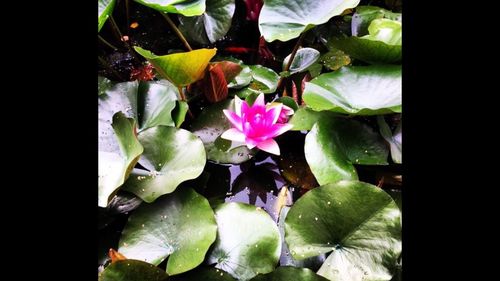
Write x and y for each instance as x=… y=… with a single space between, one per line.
x=359 y=222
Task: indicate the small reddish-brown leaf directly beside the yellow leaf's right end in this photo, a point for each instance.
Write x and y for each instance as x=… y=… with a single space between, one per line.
x=214 y=84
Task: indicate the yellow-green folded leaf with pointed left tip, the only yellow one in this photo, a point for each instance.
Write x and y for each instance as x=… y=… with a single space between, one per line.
x=181 y=69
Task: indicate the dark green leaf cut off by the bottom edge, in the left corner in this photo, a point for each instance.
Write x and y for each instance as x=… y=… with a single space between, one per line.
x=132 y=270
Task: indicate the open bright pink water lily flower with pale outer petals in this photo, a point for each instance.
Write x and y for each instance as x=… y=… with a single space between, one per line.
x=256 y=125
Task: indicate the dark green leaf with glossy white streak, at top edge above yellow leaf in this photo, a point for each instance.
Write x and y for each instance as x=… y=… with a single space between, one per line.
x=216 y=22
